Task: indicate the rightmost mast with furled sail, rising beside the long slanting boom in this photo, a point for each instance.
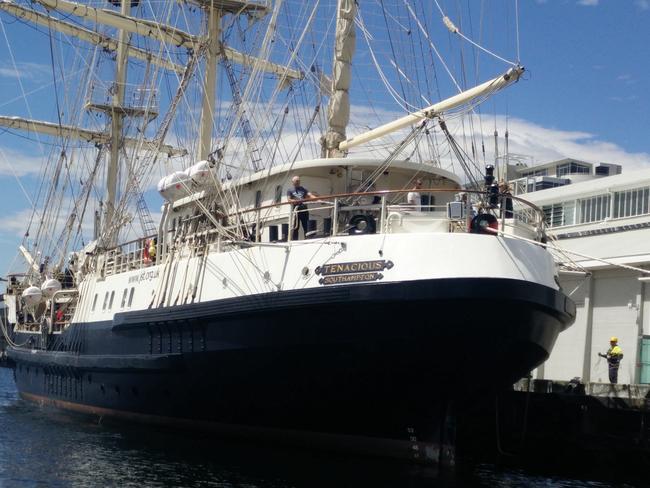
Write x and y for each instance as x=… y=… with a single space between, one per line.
x=339 y=107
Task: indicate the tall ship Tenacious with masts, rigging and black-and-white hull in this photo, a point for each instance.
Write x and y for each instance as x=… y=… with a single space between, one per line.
x=301 y=285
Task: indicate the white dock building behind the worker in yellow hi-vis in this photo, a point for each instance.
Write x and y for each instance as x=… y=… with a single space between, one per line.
x=597 y=211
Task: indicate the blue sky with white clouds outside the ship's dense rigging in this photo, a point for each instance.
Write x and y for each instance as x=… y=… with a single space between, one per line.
x=585 y=93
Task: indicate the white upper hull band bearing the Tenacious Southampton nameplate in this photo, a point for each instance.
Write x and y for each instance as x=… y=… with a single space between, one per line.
x=292 y=266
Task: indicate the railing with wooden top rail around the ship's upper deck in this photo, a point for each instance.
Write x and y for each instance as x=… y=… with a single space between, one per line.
x=385 y=209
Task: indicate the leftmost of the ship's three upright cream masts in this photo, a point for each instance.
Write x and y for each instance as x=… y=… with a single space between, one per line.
x=117 y=118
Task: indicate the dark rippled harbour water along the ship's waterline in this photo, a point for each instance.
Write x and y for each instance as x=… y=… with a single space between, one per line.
x=44 y=448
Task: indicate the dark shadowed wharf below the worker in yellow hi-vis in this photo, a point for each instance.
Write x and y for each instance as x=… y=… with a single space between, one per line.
x=543 y=422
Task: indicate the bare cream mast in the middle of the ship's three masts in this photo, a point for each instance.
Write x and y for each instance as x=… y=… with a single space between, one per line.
x=210 y=82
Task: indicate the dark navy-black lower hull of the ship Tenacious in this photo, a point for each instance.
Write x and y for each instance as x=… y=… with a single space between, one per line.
x=371 y=366
